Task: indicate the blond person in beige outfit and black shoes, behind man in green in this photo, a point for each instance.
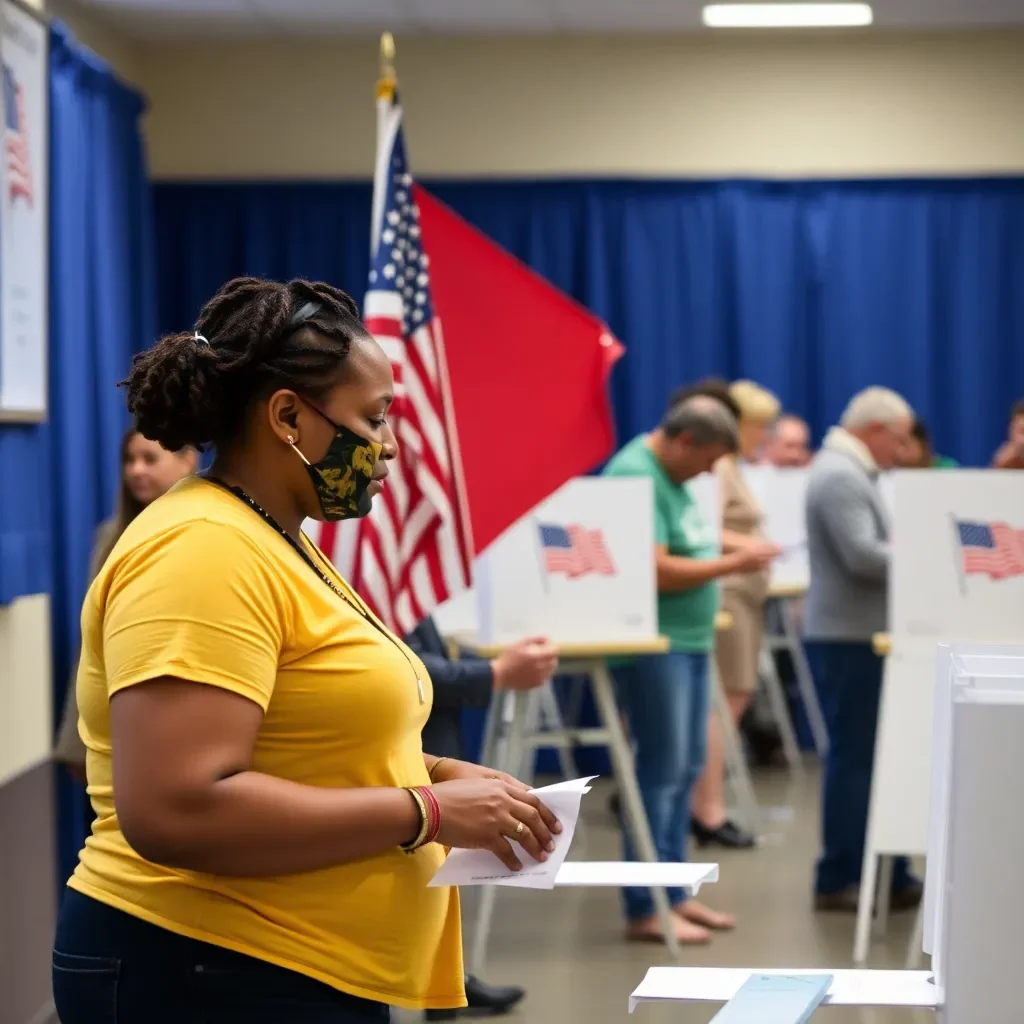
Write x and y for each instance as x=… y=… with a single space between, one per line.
x=738 y=650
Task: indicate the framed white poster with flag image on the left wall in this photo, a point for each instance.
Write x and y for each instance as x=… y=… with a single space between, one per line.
x=24 y=215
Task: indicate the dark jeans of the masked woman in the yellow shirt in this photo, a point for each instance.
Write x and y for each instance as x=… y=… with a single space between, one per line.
x=111 y=968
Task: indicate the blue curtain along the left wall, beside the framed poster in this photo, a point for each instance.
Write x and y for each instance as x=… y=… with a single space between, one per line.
x=103 y=311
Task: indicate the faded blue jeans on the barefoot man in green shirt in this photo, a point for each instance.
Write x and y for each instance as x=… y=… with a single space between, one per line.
x=666 y=701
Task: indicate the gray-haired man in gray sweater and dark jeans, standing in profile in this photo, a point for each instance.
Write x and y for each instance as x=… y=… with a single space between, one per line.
x=848 y=543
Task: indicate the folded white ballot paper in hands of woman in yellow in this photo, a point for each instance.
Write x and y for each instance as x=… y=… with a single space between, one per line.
x=482 y=868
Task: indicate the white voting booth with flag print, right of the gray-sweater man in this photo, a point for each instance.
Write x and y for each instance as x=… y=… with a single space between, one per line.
x=957 y=576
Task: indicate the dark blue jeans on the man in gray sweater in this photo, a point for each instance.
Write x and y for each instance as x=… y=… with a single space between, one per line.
x=848 y=678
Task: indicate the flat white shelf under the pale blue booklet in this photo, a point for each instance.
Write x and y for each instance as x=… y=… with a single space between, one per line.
x=849 y=989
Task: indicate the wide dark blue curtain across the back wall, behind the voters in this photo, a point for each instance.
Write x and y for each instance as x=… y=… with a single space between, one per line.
x=814 y=289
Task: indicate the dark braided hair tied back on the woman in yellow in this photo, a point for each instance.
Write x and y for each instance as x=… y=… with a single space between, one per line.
x=195 y=390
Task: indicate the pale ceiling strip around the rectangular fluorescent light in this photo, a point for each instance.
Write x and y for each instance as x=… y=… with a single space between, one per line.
x=191 y=19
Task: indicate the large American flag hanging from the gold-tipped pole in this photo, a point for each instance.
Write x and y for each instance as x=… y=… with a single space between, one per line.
x=413 y=551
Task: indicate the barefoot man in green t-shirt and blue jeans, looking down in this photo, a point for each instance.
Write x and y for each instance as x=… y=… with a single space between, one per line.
x=666 y=697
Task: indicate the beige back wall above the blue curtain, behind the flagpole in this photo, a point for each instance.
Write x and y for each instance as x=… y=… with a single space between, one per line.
x=892 y=105
